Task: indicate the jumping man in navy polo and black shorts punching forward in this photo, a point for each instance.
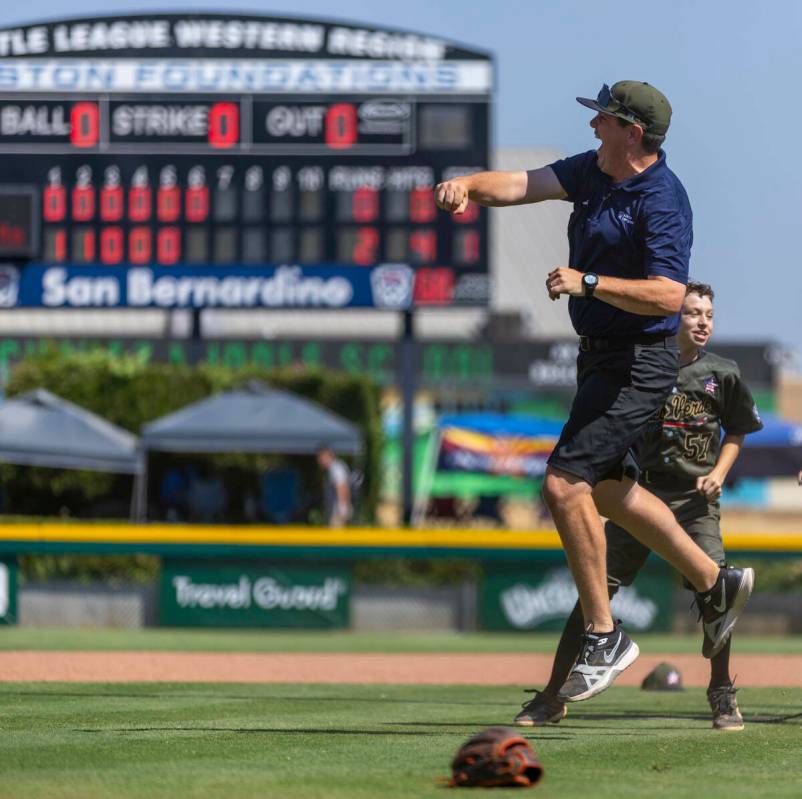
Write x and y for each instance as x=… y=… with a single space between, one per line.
x=630 y=237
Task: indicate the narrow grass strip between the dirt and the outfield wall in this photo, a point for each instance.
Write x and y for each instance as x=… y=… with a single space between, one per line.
x=182 y=640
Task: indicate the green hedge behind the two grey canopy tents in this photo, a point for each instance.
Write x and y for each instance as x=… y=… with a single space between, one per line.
x=129 y=392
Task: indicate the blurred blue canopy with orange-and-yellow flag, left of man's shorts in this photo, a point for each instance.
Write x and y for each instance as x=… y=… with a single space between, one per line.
x=496 y=444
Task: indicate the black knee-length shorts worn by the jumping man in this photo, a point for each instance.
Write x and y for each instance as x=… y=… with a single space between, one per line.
x=618 y=391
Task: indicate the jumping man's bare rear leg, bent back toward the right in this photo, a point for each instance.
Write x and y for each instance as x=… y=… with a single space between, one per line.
x=649 y=520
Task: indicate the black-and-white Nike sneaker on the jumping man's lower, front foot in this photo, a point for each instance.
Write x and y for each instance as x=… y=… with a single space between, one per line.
x=603 y=657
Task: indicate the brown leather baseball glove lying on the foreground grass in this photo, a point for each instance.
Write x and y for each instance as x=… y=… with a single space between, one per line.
x=497 y=757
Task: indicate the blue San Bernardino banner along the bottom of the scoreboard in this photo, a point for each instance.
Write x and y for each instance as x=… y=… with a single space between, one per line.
x=388 y=286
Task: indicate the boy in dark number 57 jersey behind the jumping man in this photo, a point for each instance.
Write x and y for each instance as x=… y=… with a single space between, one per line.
x=685 y=462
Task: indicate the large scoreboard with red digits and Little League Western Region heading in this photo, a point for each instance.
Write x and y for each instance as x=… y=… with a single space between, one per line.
x=211 y=144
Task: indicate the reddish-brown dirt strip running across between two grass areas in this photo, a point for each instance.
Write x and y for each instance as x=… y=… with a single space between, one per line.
x=373 y=669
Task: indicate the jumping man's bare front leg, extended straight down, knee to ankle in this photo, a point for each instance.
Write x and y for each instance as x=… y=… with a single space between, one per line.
x=570 y=500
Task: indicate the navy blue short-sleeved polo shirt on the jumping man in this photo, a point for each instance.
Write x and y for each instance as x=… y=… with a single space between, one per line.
x=640 y=227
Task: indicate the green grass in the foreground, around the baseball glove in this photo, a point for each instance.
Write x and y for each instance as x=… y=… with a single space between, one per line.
x=136 y=741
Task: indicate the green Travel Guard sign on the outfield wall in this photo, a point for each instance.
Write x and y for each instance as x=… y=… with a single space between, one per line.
x=203 y=594
